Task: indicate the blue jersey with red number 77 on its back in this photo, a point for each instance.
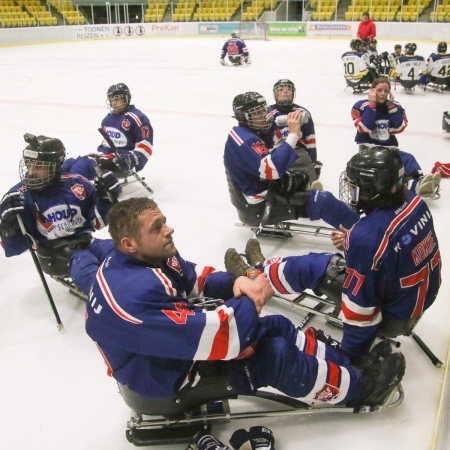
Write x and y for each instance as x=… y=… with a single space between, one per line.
x=393 y=270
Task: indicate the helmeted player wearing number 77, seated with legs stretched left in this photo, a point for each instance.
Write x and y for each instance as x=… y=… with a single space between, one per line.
x=389 y=280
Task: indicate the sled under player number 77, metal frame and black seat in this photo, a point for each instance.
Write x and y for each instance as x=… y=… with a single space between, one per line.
x=389 y=328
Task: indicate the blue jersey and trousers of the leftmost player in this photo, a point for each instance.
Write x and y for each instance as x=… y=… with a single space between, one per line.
x=65 y=209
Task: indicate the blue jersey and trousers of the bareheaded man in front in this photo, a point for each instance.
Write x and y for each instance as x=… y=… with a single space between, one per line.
x=149 y=334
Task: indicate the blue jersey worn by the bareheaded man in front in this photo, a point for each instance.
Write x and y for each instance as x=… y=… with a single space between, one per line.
x=147 y=330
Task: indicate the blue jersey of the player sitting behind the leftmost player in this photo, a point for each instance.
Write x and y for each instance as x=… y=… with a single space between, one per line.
x=130 y=131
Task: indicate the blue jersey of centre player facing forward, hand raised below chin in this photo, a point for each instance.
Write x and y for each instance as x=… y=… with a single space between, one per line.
x=308 y=137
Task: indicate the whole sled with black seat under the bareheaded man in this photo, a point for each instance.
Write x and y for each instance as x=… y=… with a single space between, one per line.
x=169 y=420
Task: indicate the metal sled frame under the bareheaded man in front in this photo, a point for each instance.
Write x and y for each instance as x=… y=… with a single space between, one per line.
x=143 y=431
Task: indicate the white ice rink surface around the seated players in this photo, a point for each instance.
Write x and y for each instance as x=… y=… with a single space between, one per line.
x=55 y=391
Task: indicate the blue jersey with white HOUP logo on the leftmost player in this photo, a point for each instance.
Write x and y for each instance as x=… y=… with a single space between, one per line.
x=67 y=208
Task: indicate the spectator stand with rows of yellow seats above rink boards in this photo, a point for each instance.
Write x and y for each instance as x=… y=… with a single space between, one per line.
x=30 y=13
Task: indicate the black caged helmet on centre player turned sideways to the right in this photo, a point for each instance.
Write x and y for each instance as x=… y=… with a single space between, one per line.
x=250 y=109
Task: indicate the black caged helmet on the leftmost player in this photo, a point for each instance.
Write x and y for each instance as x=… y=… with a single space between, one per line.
x=42 y=161
